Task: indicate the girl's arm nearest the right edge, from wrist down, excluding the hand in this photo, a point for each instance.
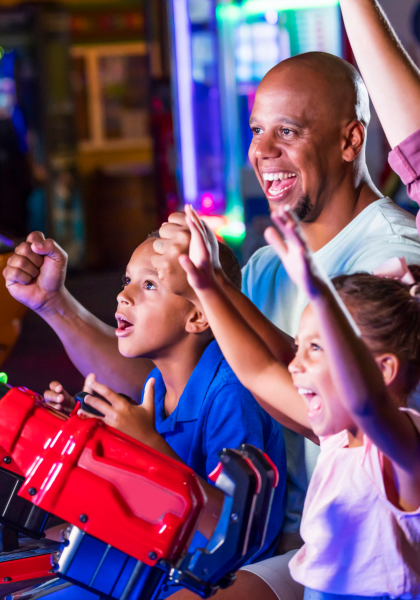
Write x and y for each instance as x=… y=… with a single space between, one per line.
x=362 y=390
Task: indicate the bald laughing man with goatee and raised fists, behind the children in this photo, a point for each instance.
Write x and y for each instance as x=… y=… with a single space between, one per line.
x=308 y=150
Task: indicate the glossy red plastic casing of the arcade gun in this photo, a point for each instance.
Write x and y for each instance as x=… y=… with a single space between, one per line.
x=104 y=482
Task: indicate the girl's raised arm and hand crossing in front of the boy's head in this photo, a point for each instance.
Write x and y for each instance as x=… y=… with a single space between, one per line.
x=247 y=354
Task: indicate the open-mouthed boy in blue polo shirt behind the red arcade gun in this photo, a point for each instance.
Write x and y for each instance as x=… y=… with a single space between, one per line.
x=199 y=406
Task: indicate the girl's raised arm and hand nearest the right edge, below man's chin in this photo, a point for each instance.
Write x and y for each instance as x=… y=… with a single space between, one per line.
x=358 y=381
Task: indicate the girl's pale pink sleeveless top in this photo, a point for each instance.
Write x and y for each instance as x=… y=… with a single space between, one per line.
x=356 y=541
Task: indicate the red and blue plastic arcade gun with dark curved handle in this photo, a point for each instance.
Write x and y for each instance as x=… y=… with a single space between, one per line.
x=132 y=511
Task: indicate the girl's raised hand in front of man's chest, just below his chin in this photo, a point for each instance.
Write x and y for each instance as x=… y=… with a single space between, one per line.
x=294 y=252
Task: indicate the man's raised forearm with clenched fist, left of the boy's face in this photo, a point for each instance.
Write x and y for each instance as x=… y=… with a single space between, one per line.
x=35 y=276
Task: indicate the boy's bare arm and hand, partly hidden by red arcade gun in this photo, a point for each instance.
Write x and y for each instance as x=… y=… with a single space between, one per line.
x=138 y=421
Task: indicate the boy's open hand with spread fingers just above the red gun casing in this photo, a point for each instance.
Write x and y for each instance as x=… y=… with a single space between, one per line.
x=137 y=421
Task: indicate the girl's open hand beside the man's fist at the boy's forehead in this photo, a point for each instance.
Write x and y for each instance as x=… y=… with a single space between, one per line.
x=199 y=264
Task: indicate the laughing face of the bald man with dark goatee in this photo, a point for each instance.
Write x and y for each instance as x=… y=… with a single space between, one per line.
x=297 y=122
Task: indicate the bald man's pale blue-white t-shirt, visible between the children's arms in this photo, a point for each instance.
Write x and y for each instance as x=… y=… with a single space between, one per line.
x=381 y=231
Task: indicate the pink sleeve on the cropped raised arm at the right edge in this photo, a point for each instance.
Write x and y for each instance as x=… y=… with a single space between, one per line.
x=405 y=161
